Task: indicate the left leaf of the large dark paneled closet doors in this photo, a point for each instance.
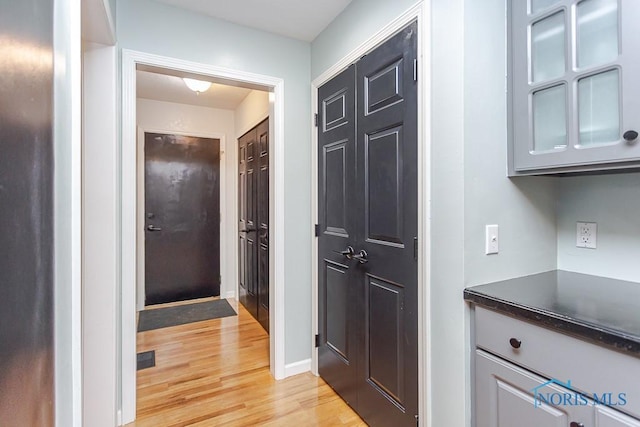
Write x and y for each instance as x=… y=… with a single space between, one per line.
x=337 y=290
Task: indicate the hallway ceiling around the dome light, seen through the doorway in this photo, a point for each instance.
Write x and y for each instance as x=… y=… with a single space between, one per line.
x=162 y=87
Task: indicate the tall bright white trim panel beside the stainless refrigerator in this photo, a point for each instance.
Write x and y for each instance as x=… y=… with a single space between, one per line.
x=67 y=114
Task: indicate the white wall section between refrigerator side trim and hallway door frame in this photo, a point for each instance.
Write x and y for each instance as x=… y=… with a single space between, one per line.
x=100 y=265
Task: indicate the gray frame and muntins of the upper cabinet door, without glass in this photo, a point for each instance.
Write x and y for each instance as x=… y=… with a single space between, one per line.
x=618 y=154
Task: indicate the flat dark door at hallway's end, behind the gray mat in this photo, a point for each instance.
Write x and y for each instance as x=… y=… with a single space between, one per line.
x=182 y=218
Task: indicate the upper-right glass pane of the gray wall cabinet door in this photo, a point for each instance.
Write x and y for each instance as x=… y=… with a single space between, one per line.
x=597 y=32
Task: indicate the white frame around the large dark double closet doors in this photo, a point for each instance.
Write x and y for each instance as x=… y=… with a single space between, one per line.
x=419 y=13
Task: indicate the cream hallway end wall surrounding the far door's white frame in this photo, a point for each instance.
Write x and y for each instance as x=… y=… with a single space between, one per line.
x=158 y=116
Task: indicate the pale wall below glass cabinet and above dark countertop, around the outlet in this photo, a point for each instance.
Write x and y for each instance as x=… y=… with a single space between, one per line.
x=613 y=202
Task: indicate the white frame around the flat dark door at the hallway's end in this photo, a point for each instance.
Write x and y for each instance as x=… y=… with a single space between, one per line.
x=226 y=289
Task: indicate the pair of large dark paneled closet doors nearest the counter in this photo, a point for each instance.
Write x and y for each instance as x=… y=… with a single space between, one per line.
x=368 y=271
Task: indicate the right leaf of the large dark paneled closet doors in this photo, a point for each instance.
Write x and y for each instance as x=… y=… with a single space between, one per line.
x=387 y=229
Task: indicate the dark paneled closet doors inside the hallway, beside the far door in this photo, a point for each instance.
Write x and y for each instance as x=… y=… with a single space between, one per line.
x=253 y=227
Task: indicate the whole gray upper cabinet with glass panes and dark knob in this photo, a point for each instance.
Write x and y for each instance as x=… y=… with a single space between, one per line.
x=574 y=82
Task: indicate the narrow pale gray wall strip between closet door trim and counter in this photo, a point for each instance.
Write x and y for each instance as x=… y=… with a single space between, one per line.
x=448 y=391
